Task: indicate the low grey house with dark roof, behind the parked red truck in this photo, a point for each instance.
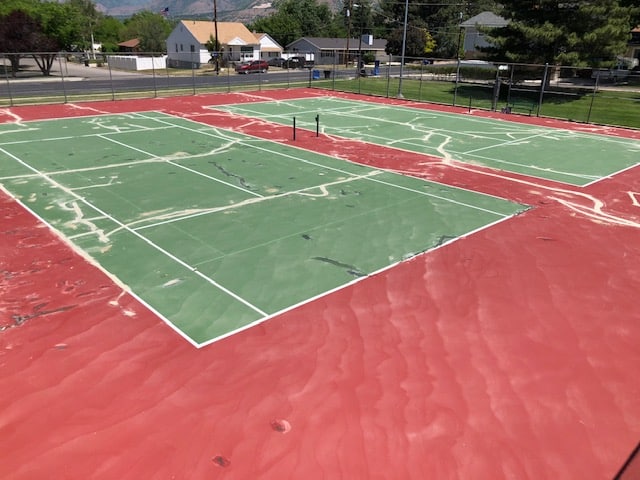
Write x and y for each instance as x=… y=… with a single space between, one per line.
x=334 y=51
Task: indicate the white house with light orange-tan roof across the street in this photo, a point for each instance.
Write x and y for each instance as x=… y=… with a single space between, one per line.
x=187 y=43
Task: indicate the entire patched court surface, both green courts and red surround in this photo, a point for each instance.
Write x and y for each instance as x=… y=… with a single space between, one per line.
x=192 y=288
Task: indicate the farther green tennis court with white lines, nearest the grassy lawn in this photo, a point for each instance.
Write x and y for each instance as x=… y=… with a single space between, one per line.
x=561 y=155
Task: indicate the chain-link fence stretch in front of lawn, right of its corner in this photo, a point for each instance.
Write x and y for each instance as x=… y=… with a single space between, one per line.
x=600 y=96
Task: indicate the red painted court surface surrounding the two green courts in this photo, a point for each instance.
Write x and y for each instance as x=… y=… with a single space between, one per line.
x=512 y=353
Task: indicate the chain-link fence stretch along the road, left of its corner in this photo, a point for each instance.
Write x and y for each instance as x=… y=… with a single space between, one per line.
x=75 y=77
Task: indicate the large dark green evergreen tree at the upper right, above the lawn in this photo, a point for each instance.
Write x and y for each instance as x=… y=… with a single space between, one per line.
x=573 y=33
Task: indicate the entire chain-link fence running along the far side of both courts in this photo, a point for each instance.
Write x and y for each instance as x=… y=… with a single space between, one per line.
x=600 y=96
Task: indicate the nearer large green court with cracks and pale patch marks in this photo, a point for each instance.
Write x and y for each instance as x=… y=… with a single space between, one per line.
x=216 y=231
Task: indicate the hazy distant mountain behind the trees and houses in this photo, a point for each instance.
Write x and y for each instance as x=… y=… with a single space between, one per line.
x=228 y=10
